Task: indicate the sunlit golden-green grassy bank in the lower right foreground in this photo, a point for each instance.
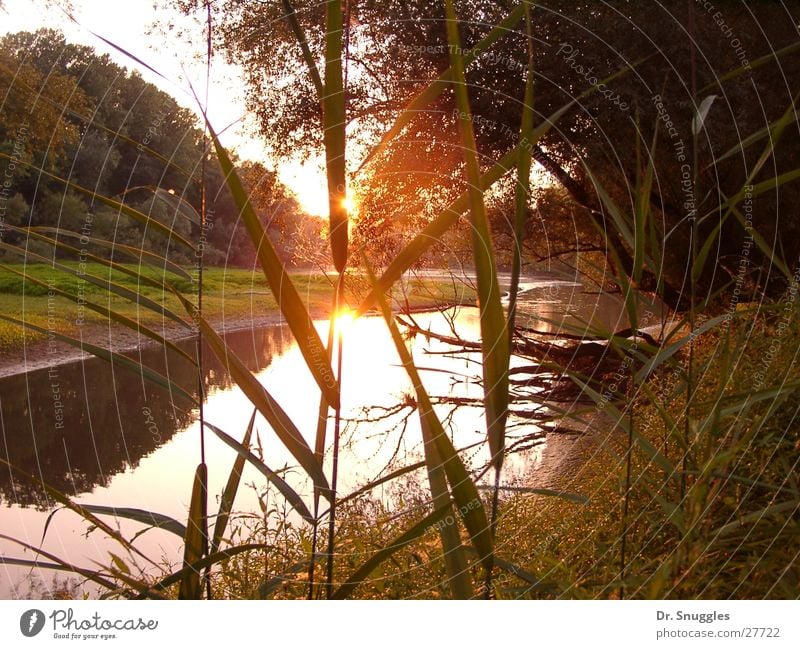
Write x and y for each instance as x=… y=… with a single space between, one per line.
x=712 y=502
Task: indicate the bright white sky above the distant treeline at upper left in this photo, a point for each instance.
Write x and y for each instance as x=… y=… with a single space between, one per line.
x=126 y=23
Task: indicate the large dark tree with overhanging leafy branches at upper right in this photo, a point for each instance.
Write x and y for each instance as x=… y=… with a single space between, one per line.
x=675 y=50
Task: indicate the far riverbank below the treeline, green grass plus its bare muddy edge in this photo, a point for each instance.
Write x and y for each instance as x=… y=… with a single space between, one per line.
x=233 y=300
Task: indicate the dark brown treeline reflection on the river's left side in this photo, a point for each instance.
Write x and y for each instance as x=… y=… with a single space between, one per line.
x=78 y=424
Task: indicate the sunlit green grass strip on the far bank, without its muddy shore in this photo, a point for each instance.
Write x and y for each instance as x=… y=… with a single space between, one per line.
x=230 y=295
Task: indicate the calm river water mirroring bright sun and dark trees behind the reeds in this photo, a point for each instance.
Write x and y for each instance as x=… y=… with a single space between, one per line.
x=100 y=434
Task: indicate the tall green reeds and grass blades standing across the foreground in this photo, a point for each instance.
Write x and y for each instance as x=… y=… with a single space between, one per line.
x=699 y=451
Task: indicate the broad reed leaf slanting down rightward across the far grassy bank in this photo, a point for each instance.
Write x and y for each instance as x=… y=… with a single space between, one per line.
x=281 y=285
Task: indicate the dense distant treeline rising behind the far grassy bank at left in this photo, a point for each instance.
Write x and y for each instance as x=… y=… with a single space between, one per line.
x=69 y=114
